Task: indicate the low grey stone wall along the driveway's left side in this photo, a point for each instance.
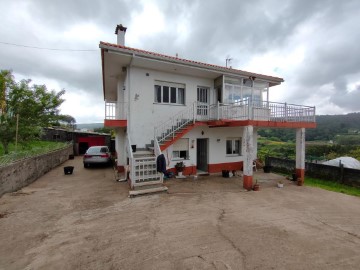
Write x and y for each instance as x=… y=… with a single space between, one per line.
x=22 y=173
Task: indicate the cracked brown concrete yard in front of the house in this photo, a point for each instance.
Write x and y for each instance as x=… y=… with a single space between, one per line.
x=87 y=221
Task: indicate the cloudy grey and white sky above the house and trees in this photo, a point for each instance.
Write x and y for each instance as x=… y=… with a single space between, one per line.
x=313 y=44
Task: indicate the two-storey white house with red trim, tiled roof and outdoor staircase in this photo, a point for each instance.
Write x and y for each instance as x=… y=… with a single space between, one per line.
x=203 y=114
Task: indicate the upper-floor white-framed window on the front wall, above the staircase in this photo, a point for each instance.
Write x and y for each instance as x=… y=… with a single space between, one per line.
x=170 y=93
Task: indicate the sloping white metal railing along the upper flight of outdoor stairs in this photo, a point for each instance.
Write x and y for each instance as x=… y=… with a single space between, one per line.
x=169 y=127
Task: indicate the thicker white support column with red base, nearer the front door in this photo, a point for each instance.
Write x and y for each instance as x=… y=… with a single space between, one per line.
x=248 y=157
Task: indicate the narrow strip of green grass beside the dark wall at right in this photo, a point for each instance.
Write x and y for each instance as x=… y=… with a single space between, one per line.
x=332 y=186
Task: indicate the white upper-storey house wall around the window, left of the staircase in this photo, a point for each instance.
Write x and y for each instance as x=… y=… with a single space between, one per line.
x=145 y=113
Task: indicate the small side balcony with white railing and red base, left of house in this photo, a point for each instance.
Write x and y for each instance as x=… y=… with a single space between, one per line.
x=115 y=114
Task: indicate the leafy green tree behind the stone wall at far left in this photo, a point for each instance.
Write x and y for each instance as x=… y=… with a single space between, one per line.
x=33 y=105
